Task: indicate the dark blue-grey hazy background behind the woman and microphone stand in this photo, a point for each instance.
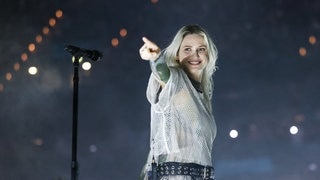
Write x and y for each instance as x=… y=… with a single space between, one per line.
x=263 y=86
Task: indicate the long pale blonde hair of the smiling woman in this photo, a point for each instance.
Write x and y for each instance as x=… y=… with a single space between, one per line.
x=172 y=50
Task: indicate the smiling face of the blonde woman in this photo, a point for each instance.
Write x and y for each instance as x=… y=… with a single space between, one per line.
x=193 y=55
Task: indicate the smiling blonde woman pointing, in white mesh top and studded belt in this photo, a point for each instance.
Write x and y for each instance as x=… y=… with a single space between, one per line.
x=180 y=91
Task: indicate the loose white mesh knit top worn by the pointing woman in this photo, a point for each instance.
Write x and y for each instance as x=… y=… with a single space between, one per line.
x=182 y=125
